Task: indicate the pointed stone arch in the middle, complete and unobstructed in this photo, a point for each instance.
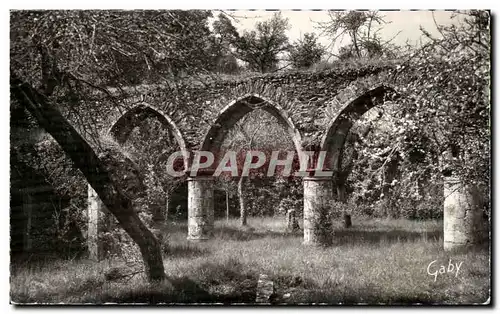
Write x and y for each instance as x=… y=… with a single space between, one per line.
x=236 y=110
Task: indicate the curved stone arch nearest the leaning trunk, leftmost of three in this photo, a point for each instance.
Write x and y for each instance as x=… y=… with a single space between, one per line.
x=122 y=128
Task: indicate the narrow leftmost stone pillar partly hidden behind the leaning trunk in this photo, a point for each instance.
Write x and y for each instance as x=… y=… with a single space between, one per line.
x=94 y=207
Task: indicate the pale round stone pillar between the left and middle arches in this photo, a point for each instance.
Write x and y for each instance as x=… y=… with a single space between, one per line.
x=200 y=207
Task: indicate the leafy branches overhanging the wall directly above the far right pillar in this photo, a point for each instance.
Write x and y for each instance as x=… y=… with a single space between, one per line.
x=447 y=101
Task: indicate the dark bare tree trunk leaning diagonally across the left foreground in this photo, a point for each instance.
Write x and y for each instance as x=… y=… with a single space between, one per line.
x=85 y=159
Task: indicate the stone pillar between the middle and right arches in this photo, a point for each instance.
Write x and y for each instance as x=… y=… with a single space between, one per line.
x=317 y=222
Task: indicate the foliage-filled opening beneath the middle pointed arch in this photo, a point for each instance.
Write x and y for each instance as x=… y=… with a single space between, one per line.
x=260 y=195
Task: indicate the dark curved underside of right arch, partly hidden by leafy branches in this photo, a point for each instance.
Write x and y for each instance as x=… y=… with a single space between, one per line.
x=334 y=139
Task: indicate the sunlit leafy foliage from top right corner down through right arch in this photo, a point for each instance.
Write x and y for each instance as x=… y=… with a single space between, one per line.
x=438 y=126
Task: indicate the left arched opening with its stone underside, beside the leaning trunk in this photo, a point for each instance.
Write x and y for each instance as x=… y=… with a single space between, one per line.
x=149 y=137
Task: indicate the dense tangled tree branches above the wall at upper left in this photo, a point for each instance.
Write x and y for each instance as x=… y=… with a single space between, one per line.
x=106 y=47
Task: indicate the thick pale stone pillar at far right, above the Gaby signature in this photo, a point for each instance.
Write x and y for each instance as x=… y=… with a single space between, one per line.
x=463 y=217
